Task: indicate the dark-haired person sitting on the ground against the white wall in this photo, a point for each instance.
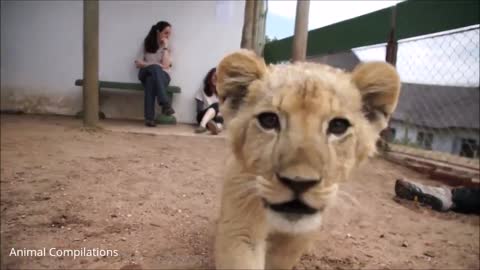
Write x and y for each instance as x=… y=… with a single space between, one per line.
x=208 y=115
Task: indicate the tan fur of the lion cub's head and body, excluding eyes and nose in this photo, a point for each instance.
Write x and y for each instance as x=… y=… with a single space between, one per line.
x=305 y=96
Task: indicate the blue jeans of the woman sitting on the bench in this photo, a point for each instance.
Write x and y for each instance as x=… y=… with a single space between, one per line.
x=155 y=82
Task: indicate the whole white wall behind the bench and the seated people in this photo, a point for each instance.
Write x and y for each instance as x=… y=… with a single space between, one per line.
x=41 y=50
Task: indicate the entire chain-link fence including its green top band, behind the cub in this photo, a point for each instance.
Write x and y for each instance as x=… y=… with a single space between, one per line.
x=438 y=116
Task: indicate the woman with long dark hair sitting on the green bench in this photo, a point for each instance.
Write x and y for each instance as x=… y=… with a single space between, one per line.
x=154 y=71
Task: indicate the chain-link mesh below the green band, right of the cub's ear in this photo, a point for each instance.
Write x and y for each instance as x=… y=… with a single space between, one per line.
x=438 y=112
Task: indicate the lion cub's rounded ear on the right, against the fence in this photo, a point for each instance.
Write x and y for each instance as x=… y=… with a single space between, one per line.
x=379 y=85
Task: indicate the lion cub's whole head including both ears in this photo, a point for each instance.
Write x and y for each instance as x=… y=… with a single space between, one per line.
x=301 y=128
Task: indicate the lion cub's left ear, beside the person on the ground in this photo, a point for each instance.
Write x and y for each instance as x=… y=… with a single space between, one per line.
x=235 y=73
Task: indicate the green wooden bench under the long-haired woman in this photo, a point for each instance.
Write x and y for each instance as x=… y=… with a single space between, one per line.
x=126 y=86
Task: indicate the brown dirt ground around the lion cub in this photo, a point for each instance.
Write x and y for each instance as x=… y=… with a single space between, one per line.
x=154 y=199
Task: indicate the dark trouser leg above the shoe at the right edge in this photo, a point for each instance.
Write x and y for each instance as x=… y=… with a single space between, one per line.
x=466 y=199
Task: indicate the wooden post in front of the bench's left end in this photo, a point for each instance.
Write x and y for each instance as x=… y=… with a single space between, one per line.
x=90 y=62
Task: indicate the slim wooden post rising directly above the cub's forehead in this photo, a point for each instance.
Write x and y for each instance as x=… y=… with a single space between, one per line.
x=299 y=50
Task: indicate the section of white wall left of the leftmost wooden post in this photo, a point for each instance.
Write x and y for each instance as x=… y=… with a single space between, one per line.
x=41 y=55
